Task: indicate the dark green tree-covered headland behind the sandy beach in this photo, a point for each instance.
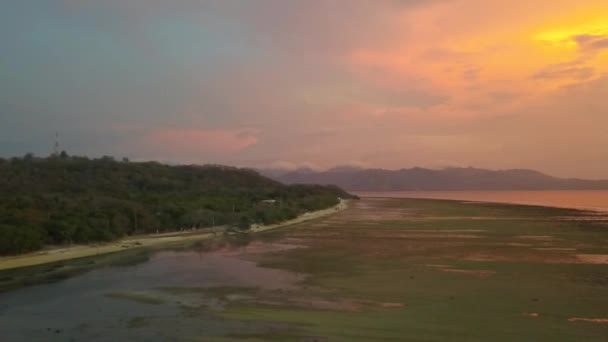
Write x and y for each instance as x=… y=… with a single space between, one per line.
x=63 y=199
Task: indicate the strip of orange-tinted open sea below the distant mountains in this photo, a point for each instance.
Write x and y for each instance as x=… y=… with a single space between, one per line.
x=590 y=200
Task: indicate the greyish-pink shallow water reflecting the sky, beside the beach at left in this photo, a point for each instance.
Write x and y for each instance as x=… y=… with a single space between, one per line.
x=111 y=303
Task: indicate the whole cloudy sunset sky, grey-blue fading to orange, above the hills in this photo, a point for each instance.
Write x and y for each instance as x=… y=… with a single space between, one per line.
x=310 y=83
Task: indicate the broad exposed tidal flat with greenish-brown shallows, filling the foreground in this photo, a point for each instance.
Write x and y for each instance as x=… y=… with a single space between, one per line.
x=382 y=270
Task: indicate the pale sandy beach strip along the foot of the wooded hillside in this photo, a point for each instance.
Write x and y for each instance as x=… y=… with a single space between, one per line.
x=145 y=241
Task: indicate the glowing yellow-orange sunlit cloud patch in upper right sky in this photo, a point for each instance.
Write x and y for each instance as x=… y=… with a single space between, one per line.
x=466 y=47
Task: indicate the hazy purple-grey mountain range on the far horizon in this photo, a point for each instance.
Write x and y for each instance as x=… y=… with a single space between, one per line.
x=353 y=179
